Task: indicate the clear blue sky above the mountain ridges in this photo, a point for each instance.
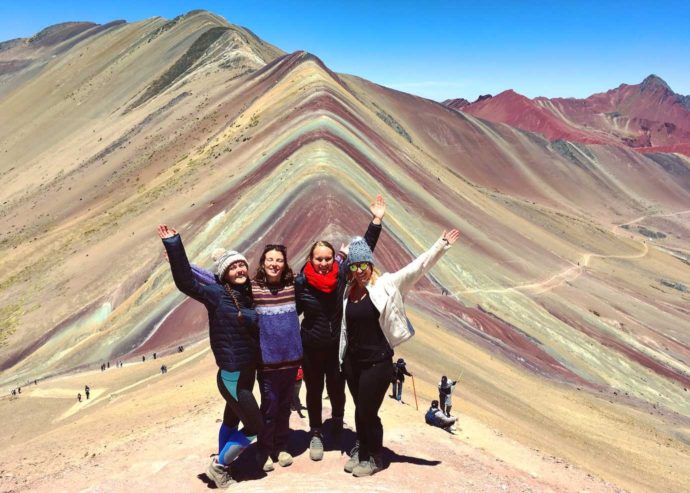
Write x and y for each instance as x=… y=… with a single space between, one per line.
x=439 y=49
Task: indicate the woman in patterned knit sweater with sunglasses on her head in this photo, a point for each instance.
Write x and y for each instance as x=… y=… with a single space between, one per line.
x=281 y=352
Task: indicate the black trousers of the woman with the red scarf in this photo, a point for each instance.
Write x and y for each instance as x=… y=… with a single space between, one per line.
x=317 y=364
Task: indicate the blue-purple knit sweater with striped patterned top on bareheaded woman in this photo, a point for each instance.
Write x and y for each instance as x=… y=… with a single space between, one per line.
x=279 y=328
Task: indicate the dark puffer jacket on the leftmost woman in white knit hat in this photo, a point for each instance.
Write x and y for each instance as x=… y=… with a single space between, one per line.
x=235 y=344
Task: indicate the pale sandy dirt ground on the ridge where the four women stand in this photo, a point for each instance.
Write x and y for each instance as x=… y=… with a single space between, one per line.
x=159 y=435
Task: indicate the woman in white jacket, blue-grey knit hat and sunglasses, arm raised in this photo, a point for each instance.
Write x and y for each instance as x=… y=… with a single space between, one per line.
x=373 y=323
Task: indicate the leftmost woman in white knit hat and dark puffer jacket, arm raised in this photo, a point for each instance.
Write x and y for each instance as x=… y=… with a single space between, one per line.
x=234 y=338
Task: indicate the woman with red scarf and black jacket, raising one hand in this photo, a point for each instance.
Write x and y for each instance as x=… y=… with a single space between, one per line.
x=319 y=292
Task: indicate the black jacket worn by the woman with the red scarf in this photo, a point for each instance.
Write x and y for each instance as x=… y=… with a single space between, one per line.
x=323 y=312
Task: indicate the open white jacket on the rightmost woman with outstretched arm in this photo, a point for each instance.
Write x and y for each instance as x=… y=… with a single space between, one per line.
x=387 y=296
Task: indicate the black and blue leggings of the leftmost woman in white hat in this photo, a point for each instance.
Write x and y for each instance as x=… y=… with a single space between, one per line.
x=240 y=405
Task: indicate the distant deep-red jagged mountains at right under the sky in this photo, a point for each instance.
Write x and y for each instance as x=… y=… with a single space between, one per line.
x=649 y=116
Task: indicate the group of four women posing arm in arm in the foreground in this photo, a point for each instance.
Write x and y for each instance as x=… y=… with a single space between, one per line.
x=353 y=318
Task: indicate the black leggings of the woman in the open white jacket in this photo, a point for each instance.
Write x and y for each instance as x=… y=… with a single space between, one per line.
x=368 y=384
